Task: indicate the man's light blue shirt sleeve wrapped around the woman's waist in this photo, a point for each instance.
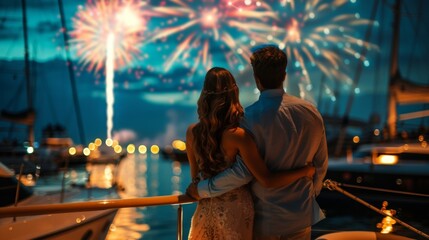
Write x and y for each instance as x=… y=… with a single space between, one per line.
x=235 y=176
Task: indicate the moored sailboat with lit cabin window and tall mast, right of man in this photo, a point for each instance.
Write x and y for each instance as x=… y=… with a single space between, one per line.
x=405 y=159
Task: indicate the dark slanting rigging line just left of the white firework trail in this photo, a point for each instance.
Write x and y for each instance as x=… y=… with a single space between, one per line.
x=71 y=74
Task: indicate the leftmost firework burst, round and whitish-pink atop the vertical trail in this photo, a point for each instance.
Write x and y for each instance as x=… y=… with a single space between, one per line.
x=94 y=23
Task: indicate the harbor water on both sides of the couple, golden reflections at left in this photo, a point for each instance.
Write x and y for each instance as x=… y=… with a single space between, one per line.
x=144 y=176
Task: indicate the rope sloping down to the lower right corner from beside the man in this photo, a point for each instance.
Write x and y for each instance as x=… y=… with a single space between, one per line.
x=332 y=185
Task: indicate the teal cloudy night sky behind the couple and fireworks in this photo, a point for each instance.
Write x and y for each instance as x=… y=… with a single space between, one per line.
x=157 y=89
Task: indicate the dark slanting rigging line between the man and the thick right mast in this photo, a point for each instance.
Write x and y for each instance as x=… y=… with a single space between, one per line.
x=343 y=127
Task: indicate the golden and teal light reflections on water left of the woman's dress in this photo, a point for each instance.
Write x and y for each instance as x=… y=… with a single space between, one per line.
x=144 y=175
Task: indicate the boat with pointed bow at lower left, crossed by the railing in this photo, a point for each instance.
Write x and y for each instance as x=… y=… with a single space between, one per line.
x=75 y=225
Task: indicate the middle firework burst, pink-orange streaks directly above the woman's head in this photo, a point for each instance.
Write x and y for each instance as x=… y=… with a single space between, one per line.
x=208 y=27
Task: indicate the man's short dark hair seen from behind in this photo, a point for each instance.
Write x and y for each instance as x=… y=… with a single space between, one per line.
x=269 y=66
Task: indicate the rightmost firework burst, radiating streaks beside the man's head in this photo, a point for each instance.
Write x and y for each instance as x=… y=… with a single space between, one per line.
x=313 y=38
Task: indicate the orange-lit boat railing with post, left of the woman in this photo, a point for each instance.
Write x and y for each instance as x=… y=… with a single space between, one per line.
x=102 y=205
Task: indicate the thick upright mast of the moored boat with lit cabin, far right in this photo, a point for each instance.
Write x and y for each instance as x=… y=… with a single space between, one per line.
x=394 y=75
